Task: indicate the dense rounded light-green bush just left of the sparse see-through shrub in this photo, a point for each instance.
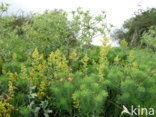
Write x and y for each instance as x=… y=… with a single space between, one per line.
x=48 y=31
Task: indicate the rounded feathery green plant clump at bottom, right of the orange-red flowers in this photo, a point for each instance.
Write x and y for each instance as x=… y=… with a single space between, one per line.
x=90 y=97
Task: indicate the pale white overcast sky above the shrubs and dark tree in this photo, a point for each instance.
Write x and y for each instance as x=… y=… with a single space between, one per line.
x=117 y=10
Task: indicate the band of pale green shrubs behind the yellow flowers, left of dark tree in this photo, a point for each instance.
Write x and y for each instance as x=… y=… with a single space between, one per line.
x=48 y=32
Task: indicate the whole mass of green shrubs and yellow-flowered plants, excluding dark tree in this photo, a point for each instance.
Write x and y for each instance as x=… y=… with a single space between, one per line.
x=48 y=67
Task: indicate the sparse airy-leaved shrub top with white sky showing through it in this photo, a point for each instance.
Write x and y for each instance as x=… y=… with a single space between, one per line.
x=86 y=26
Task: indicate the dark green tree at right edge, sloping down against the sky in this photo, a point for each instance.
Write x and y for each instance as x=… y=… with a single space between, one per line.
x=134 y=29
